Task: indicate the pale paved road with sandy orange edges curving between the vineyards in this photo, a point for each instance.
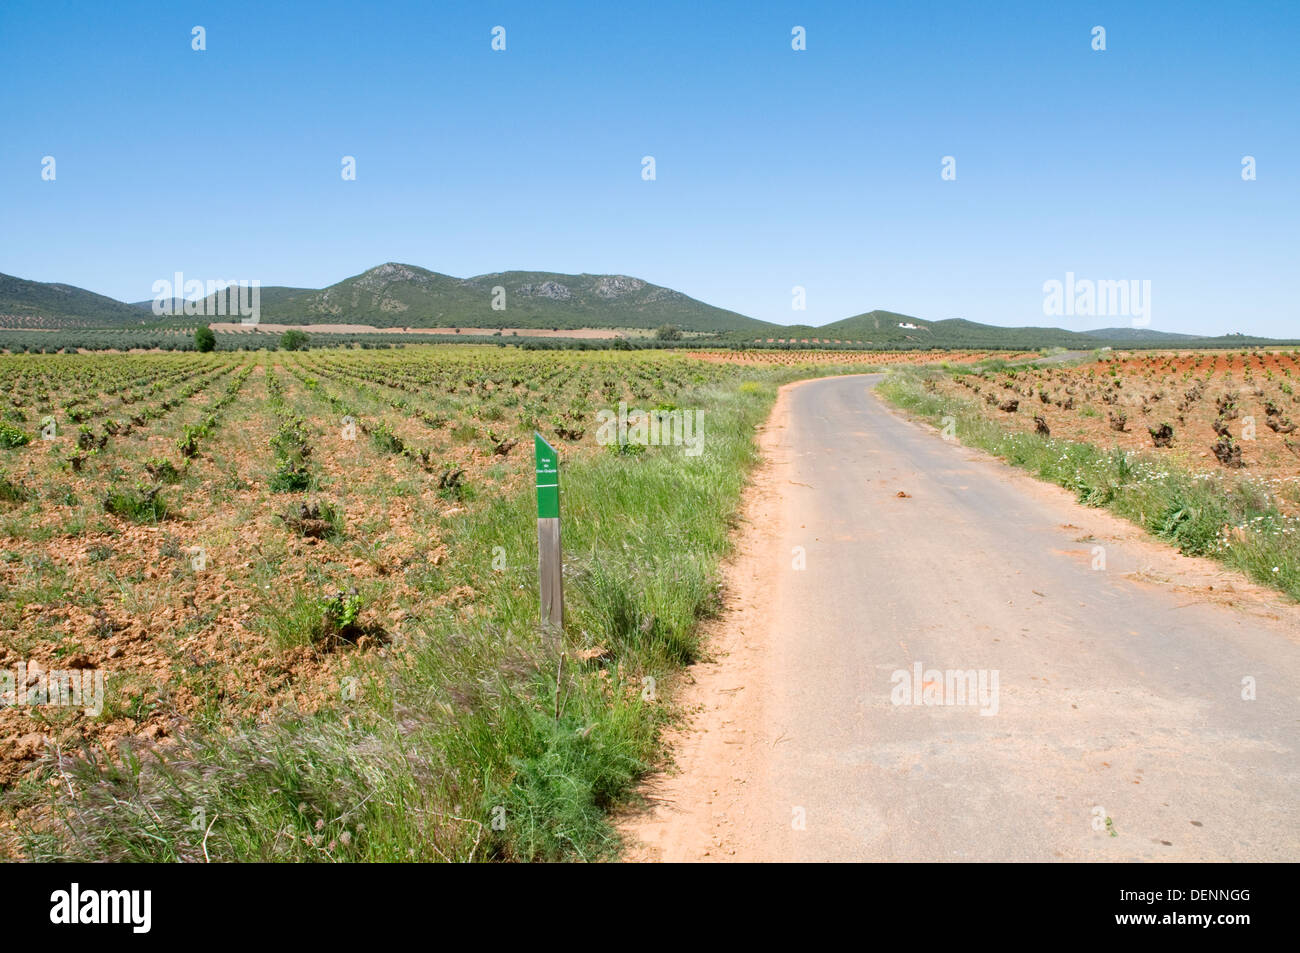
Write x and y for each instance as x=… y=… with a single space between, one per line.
x=1116 y=729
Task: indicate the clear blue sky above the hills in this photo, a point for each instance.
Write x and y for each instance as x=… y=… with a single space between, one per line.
x=775 y=168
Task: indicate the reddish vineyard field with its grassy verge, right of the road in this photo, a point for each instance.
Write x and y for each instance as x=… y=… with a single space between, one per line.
x=1201 y=449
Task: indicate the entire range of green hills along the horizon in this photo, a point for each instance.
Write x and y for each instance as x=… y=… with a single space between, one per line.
x=398 y=296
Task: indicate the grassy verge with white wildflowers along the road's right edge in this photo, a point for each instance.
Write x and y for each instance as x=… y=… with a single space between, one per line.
x=1190 y=510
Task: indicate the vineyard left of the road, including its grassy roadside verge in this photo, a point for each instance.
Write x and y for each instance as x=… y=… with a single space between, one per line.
x=310 y=579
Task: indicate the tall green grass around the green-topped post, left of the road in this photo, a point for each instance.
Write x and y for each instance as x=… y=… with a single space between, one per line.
x=480 y=737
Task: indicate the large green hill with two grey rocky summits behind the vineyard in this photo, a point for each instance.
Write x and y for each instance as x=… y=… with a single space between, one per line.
x=397 y=296
